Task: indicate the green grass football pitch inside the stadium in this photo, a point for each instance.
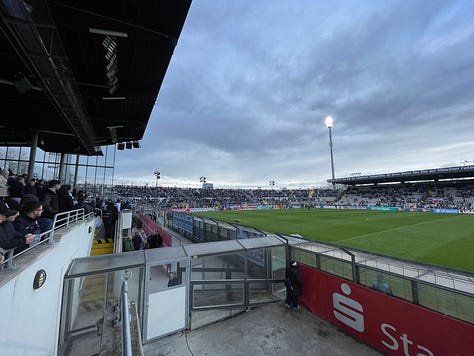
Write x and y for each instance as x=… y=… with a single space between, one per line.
x=439 y=239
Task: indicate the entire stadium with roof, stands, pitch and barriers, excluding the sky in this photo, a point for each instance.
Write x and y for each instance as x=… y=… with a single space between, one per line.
x=384 y=260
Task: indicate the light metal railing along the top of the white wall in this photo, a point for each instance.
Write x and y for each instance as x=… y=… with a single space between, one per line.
x=61 y=220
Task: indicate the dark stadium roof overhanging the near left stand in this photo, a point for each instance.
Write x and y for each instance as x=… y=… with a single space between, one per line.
x=83 y=73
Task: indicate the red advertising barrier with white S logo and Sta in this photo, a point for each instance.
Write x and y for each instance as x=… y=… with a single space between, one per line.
x=389 y=324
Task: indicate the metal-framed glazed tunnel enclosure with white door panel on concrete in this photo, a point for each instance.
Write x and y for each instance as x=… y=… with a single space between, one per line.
x=171 y=288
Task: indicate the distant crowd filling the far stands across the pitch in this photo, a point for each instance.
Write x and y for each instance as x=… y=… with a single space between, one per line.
x=441 y=195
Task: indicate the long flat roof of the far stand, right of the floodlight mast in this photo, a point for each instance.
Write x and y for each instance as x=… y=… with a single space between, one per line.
x=409 y=176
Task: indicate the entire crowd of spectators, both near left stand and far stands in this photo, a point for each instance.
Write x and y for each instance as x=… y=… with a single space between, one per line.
x=27 y=209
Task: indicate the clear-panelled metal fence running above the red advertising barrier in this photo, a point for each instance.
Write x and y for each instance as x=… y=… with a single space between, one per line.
x=444 y=290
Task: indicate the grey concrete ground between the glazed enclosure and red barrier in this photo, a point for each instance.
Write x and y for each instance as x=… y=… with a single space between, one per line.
x=269 y=329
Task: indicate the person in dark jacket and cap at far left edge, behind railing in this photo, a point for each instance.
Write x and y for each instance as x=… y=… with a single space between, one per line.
x=9 y=237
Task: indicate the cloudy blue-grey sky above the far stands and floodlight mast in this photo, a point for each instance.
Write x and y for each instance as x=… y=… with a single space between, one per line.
x=251 y=82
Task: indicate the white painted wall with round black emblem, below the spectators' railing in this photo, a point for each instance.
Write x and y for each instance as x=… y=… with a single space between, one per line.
x=29 y=319
